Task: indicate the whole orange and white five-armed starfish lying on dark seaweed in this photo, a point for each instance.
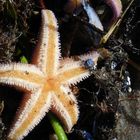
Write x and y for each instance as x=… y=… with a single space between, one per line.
x=45 y=82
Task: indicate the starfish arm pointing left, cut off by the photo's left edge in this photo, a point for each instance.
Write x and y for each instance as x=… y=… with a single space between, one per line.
x=22 y=76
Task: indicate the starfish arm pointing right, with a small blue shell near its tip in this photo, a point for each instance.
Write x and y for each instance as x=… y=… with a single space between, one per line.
x=75 y=71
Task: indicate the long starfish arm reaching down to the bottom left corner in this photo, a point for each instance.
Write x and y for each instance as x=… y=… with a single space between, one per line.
x=30 y=115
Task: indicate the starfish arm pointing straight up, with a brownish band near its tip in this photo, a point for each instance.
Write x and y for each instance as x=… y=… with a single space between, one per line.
x=47 y=53
